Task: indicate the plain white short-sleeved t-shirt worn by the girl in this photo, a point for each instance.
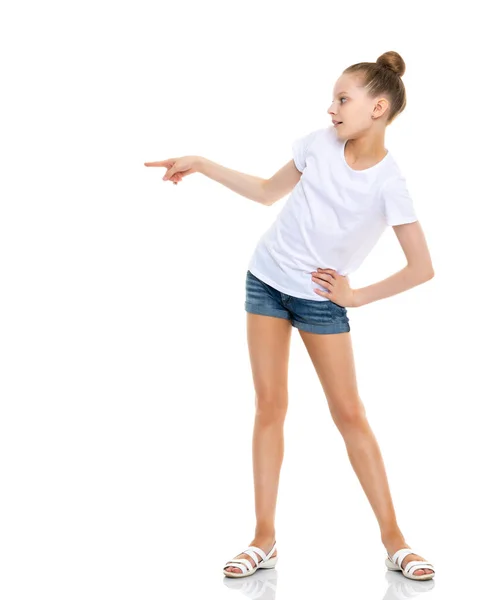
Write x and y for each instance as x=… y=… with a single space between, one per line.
x=333 y=217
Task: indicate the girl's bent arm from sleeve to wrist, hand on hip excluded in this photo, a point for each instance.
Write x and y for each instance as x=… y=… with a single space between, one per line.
x=418 y=270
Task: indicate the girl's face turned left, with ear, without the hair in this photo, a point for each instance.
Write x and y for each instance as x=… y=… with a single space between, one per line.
x=354 y=107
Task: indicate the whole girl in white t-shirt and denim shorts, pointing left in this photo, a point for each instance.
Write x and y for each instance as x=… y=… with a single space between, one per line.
x=346 y=188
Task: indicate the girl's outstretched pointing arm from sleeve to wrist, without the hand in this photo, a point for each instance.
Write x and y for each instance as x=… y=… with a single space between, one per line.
x=264 y=191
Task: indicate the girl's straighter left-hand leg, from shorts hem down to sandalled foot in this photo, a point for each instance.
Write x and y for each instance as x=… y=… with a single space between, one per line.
x=269 y=343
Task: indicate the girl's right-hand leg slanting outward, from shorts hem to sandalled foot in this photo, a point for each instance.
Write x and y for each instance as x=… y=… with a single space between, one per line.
x=332 y=357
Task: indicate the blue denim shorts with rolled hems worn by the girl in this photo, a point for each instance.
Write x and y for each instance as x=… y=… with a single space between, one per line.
x=316 y=316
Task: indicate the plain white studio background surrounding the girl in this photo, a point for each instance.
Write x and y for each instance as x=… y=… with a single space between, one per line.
x=127 y=401
